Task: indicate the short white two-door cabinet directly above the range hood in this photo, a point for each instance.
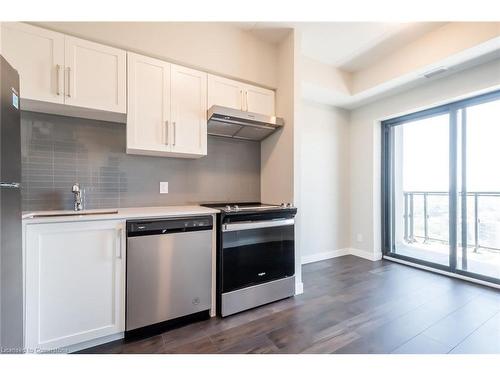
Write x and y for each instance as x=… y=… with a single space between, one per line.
x=238 y=95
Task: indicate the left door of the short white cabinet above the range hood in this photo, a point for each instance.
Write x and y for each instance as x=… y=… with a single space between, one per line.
x=225 y=92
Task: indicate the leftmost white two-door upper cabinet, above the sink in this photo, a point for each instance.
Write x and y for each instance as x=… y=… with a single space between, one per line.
x=57 y=68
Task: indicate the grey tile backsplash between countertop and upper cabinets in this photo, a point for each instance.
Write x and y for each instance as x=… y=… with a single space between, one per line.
x=58 y=151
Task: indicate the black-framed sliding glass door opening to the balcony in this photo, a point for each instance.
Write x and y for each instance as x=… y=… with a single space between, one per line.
x=441 y=187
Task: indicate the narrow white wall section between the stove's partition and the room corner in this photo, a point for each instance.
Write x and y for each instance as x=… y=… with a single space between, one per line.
x=324 y=181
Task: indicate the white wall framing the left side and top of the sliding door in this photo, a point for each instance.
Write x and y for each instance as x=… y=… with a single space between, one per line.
x=364 y=137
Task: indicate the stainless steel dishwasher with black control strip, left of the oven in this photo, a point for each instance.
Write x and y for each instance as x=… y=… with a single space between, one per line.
x=169 y=269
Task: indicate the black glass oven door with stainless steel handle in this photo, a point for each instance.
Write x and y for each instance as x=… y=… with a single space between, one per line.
x=255 y=252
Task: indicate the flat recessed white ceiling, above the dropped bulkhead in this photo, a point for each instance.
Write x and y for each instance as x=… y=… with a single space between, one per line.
x=351 y=46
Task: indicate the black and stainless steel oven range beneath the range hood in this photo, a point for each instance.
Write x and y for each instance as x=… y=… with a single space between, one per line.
x=256 y=256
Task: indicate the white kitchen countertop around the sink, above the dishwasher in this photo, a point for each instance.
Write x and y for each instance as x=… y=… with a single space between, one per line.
x=123 y=214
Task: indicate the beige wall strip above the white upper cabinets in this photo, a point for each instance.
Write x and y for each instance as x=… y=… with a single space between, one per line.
x=215 y=47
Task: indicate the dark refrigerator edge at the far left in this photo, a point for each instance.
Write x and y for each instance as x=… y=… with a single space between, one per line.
x=11 y=291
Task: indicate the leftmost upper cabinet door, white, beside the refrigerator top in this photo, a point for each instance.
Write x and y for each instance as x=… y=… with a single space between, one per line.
x=38 y=55
